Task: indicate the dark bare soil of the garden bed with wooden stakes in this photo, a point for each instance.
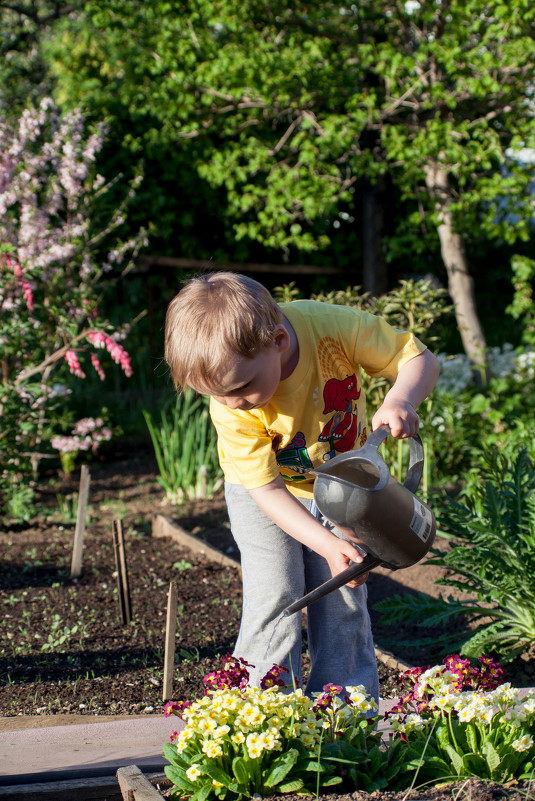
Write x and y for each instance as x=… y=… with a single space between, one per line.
x=65 y=650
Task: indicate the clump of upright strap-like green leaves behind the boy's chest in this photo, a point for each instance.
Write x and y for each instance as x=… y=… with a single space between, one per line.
x=185 y=445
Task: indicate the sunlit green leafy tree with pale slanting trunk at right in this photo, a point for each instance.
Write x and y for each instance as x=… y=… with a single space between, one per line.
x=296 y=103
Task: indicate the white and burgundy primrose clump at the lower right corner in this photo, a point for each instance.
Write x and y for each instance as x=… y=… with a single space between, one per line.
x=455 y=727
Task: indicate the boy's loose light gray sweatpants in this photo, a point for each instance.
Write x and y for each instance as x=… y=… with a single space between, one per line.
x=278 y=570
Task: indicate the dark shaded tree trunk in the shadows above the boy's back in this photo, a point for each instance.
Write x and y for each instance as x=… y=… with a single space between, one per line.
x=374 y=271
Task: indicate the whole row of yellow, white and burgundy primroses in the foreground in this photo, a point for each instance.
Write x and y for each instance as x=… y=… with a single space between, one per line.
x=454 y=721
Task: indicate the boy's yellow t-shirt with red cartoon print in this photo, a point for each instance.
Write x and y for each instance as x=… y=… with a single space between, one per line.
x=320 y=409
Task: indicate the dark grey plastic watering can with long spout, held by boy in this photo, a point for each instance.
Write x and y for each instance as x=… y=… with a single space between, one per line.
x=355 y=490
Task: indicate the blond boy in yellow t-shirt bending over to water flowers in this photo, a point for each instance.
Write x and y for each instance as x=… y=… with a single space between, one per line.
x=285 y=395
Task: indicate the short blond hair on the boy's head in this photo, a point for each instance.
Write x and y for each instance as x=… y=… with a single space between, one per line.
x=215 y=315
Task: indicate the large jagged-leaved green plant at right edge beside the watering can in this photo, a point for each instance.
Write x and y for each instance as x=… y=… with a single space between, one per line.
x=490 y=558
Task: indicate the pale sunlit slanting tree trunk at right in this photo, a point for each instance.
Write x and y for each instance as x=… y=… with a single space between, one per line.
x=460 y=282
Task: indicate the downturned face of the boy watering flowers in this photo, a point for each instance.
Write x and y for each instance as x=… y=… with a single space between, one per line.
x=251 y=383
